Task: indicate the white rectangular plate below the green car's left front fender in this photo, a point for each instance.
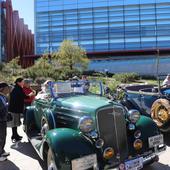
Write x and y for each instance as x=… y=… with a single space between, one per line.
x=84 y=163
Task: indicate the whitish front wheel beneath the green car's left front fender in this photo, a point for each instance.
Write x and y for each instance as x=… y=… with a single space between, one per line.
x=51 y=165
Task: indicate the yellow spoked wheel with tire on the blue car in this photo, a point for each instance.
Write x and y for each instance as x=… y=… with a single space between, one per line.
x=160 y=112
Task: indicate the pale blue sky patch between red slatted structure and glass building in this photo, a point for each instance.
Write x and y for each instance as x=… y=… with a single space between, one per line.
x=26 y=11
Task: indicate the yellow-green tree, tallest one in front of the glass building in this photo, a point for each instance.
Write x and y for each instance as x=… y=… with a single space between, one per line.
x=72 y=56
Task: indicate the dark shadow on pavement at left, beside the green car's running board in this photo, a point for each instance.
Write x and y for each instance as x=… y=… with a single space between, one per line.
x=27 y=149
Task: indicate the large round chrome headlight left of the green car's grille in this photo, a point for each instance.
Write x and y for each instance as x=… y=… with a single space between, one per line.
x=86 y=124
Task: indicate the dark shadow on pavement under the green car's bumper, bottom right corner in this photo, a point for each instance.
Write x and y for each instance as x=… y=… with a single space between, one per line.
x=157 y=166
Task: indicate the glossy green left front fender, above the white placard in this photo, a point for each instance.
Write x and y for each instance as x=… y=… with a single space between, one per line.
x=68 y=144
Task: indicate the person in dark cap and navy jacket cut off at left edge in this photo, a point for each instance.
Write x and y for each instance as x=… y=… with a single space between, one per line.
x=4 y=91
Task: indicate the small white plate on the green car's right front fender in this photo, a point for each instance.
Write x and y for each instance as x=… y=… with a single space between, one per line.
x=155 y=141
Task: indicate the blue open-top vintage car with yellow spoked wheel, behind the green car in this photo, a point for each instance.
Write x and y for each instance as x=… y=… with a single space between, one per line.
x=150 y=100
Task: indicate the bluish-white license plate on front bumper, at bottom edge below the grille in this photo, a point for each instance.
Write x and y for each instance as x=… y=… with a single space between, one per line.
x=134 y=164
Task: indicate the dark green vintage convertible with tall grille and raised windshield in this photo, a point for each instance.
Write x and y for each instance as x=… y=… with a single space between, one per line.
x=73 y=126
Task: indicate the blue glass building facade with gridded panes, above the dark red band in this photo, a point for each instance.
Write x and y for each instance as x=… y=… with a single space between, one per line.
x=102 y=25
